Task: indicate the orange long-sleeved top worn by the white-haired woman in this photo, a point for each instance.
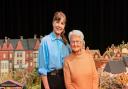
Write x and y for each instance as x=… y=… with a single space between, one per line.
x=80 y=72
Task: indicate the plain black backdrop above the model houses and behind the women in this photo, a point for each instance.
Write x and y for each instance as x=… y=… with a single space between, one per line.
x=103 y=22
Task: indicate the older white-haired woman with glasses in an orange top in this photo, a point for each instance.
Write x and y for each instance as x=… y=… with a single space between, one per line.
x=79 y=68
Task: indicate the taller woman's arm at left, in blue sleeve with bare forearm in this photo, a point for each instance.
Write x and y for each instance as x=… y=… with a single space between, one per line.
x=43 y=62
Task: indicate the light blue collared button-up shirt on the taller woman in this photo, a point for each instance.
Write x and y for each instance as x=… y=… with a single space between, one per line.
x=52 y=52
